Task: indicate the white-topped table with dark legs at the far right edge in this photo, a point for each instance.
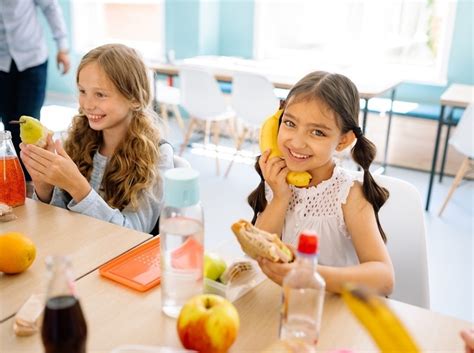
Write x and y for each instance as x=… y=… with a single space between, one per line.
x=456 y=96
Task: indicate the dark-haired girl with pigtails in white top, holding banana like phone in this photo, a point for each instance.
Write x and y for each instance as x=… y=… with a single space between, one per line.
x=320 y=118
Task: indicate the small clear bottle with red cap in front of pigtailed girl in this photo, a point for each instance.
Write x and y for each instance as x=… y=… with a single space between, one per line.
x=303 y=294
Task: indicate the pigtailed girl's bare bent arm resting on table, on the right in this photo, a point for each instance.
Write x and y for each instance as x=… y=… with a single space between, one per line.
x=375 y=269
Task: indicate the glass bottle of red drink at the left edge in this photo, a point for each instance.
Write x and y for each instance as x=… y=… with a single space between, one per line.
x=12 y=179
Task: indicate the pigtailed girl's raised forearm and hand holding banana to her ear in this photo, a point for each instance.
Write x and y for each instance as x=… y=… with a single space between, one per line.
x=274 y=171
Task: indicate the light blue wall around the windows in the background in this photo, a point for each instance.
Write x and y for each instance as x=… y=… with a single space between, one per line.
x=225 y=27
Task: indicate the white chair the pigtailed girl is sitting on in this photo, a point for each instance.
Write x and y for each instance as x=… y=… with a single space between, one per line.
x=402 y=219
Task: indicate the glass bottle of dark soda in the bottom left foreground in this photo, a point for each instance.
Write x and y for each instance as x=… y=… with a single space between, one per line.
x=64 y=328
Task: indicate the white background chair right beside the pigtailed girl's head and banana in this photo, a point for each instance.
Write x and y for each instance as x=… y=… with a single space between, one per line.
x=253 y=100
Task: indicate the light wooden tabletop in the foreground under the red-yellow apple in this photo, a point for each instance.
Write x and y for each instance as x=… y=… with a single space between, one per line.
x=117 y=315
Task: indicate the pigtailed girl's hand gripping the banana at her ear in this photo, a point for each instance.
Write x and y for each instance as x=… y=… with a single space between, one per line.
x=274 y=172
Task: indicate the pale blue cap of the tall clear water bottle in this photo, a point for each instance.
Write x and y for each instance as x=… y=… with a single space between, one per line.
x=181 y=188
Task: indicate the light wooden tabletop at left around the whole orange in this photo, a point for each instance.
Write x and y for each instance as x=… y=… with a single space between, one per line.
x=88 y=242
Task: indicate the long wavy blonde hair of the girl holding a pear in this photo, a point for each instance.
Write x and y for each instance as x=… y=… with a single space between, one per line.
x=132 y=167
